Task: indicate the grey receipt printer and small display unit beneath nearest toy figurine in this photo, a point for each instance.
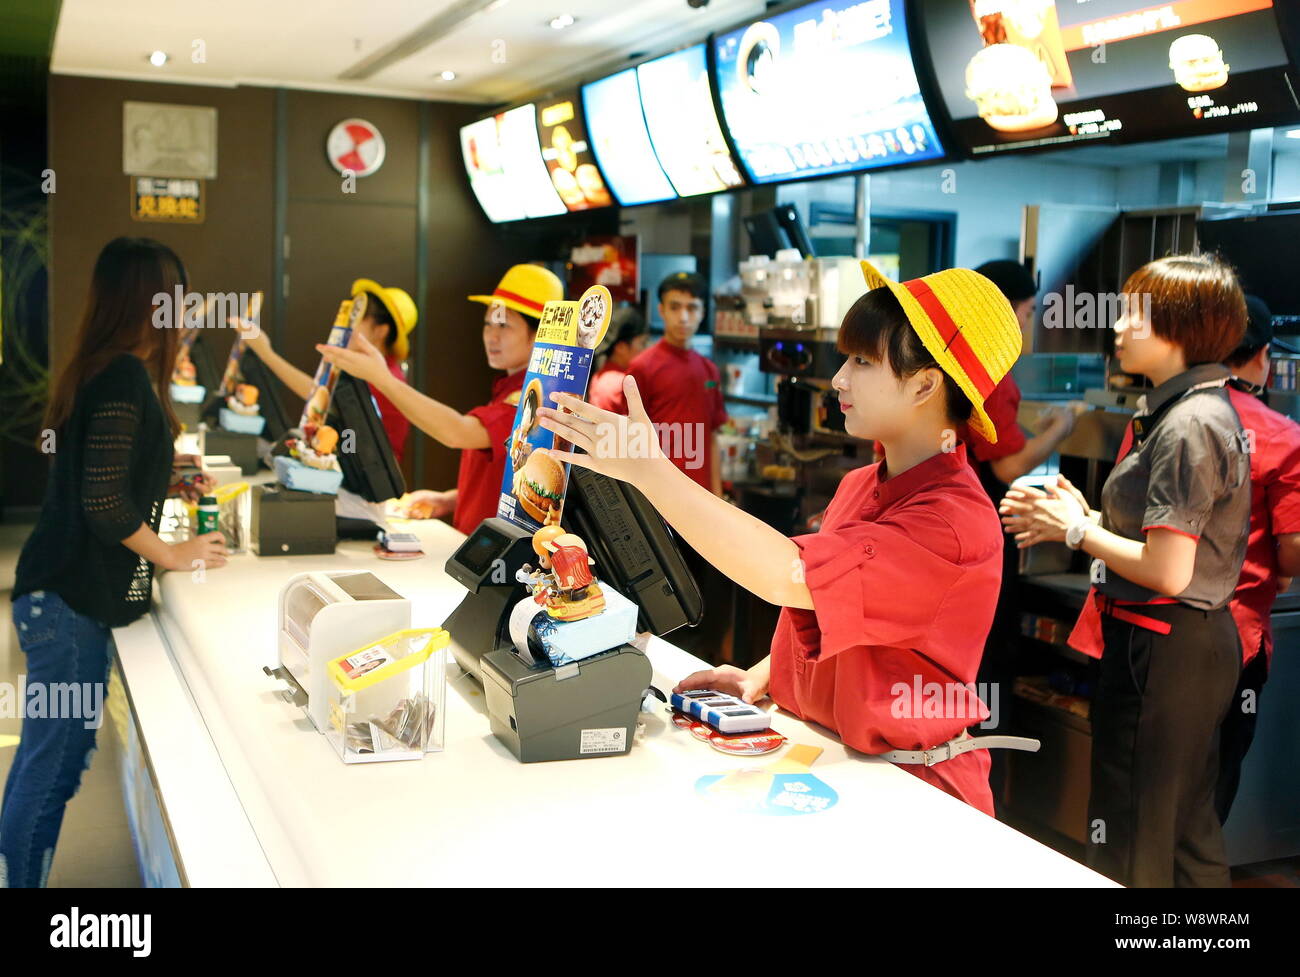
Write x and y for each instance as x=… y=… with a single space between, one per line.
x=539 y=711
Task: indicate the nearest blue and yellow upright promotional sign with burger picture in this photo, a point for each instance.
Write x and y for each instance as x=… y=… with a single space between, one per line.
x=532 y=492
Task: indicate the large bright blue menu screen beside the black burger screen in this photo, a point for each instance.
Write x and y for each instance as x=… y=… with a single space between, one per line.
x=829 y=88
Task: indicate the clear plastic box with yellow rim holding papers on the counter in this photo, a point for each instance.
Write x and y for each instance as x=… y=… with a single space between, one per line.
x=387 y=698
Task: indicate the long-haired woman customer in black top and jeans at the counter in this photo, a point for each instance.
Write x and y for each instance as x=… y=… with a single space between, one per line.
x=89 y=563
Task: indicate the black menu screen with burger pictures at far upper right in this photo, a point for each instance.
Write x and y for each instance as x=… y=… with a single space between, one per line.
x=1019 y=75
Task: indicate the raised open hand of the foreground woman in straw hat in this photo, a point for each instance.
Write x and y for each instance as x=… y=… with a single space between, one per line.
x=617 y=446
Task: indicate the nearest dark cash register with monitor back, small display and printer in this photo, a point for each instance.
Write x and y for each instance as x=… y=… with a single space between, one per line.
x=584 y=709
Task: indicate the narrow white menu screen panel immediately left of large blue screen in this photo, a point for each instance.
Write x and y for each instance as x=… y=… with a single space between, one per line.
x=679 y=107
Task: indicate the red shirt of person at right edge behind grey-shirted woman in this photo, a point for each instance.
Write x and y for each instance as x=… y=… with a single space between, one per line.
x=1275 y=513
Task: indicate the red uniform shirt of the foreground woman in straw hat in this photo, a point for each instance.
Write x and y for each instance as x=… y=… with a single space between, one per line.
x=905 y=576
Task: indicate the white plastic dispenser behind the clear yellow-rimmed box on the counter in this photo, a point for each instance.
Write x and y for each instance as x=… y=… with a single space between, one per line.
x=327 y=615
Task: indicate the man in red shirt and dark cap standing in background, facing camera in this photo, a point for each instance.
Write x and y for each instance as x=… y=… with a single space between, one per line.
x=682 y=389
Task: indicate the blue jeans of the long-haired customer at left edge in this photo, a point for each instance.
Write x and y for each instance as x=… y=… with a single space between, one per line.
x=68 y=659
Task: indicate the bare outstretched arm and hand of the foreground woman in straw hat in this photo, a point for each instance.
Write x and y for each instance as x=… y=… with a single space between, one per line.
x=743 y=548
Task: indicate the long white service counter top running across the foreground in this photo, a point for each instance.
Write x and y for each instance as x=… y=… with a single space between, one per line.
x=253 y=796
